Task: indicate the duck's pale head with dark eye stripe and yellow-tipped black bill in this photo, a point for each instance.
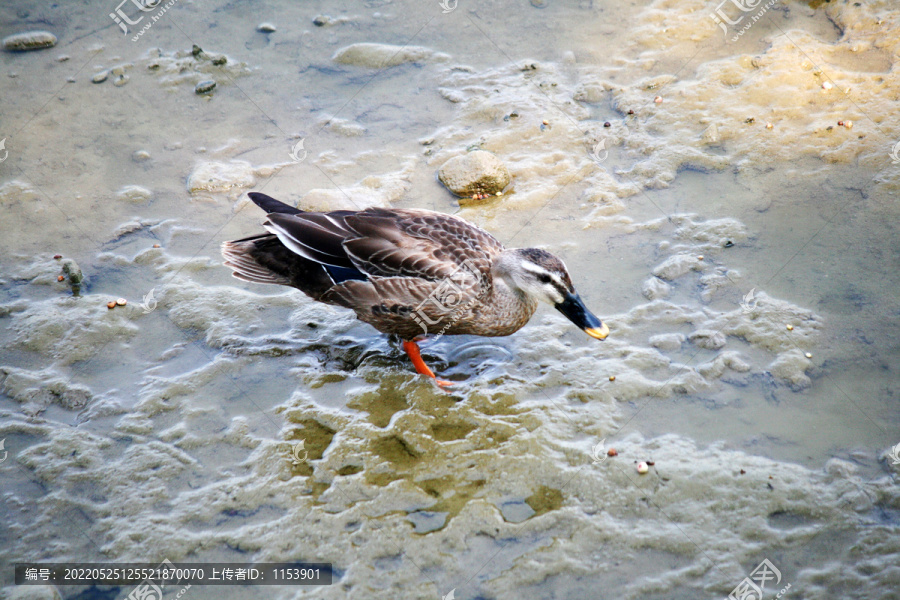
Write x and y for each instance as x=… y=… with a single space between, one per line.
x=539 y=275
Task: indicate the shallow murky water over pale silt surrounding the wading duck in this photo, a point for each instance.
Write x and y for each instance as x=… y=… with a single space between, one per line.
x=140 y=435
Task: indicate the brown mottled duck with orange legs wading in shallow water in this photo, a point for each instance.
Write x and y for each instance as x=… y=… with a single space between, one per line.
x=407 y=272
